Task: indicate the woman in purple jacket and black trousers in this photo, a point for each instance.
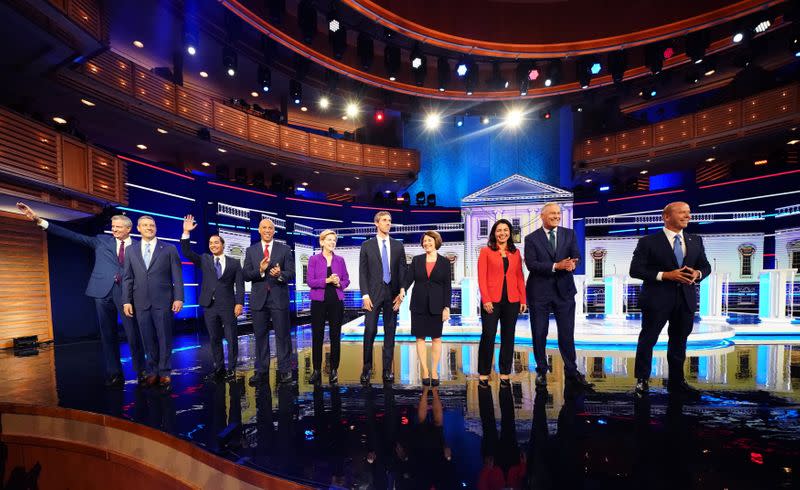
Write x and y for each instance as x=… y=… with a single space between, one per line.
x=328 y=278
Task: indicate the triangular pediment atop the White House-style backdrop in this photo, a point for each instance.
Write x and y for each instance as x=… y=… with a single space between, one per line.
x=517 y=189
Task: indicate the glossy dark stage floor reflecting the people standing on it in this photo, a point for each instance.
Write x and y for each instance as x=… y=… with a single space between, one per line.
x=743 y=433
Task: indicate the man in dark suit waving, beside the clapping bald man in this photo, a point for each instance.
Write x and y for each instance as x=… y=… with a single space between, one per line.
x=221 y=304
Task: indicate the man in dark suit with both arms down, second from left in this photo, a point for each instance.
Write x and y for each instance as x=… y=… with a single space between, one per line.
x=153 y=284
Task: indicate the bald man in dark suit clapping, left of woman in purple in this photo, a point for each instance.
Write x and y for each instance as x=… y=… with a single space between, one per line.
x=269 y=265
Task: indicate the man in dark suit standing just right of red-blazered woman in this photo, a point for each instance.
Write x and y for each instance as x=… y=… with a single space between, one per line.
x=551 y=253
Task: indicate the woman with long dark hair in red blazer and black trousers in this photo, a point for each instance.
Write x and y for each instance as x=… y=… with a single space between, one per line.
x=502 y=289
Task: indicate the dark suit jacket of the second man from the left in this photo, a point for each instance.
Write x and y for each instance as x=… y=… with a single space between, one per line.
x=156 y=286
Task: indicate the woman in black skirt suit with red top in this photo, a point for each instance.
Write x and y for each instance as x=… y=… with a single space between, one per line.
x=430 y=302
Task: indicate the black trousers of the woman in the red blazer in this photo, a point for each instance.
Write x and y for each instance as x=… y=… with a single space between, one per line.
x=507 y=313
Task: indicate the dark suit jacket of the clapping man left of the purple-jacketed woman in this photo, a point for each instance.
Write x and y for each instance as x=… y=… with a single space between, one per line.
x=276 y=296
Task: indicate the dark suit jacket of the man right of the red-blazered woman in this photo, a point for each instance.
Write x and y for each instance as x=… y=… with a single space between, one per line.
x=544 y=284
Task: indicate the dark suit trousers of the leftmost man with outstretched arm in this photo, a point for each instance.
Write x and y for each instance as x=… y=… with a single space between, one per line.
x=108 y=309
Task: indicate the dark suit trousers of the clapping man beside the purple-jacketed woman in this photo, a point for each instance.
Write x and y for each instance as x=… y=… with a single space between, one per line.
x=283 y=338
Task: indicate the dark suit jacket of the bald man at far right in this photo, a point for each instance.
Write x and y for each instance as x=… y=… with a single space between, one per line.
x=654 y=254
